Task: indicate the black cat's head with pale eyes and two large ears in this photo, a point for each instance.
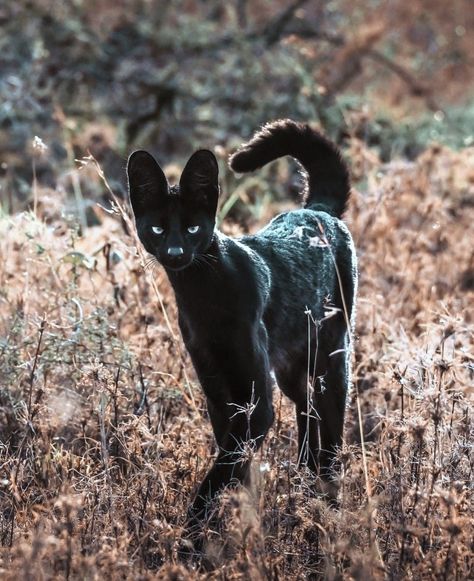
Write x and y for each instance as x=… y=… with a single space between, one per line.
x=174 y=223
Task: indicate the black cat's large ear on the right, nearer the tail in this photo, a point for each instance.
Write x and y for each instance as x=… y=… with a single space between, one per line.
x=200 y=179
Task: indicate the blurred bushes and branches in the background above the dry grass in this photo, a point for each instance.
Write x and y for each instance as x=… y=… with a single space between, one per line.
x=102 y=77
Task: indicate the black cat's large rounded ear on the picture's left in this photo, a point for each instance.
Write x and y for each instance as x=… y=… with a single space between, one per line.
x=147 y=182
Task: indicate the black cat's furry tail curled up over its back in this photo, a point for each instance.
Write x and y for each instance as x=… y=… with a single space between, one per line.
x=327 y=180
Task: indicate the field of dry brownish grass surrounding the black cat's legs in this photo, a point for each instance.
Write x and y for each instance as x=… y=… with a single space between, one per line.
x=103 y=428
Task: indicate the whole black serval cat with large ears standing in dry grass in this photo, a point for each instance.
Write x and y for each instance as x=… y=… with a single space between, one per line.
x=280 y=300
